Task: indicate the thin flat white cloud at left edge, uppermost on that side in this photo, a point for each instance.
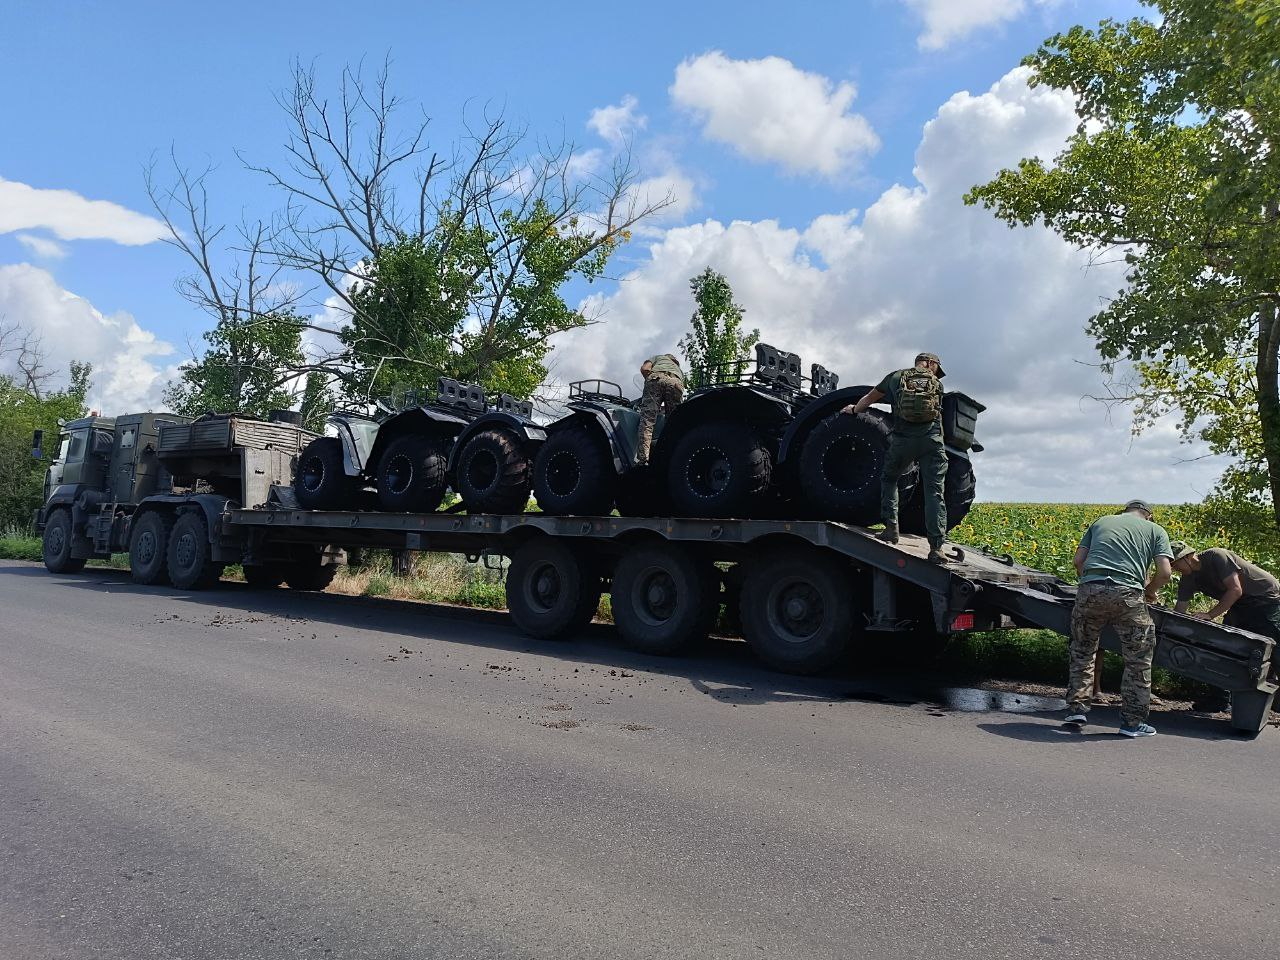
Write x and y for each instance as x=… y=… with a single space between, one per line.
x=68 y=216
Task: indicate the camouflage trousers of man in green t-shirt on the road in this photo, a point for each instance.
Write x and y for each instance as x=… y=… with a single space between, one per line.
x=1100 y=606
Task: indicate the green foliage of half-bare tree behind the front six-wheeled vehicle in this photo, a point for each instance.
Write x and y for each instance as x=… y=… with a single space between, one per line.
x=436 y=305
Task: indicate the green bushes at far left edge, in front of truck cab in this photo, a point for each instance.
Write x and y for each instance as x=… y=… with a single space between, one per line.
x=22 y=412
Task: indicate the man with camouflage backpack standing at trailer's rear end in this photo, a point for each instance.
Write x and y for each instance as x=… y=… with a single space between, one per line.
x=916 y=395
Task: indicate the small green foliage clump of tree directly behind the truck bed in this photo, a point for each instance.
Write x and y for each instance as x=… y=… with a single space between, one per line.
x=252 y=368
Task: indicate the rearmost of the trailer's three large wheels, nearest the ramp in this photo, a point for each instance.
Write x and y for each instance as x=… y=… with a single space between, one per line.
x=798 y=610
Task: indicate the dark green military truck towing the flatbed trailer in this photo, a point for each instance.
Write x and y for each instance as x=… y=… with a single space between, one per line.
x=159 y=486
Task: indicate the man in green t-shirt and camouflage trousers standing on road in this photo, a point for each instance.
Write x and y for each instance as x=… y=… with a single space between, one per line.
x=1113 y=561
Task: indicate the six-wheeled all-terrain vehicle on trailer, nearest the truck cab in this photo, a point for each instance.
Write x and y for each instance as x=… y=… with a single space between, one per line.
x=419 y=450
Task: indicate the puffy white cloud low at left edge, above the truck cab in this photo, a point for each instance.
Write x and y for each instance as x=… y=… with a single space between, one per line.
x=131 y=365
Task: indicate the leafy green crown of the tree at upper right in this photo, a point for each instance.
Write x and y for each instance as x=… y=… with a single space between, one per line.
x=1174 y=168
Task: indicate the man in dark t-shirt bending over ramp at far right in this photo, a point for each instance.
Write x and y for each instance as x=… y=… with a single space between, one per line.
x=1247 y=596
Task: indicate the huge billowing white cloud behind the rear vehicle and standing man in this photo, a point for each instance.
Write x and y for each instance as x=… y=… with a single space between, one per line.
x=863 y=292
